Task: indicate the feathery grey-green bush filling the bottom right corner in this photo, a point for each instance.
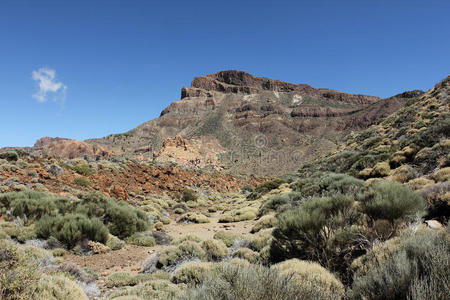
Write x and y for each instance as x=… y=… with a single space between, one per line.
x=418 y=270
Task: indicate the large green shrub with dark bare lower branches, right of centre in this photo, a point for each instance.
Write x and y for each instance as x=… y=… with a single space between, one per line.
x=321 y=229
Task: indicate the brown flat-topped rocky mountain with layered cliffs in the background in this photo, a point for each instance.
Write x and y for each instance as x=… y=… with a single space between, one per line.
x=257 y=125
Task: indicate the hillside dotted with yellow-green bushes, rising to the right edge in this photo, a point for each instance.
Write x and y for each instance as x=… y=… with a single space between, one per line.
x=410 y=146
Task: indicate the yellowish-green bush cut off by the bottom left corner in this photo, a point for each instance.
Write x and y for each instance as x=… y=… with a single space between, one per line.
x=18 y=275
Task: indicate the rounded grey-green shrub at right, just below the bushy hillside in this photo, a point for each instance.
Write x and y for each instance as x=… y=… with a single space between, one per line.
x=391 y=201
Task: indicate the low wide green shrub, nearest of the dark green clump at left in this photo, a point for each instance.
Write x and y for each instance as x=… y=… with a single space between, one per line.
x=71 y=229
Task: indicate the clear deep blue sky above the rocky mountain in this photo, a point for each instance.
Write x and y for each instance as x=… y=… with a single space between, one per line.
x=117 y=64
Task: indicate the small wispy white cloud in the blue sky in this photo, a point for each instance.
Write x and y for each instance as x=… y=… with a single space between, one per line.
x=48 y=85
